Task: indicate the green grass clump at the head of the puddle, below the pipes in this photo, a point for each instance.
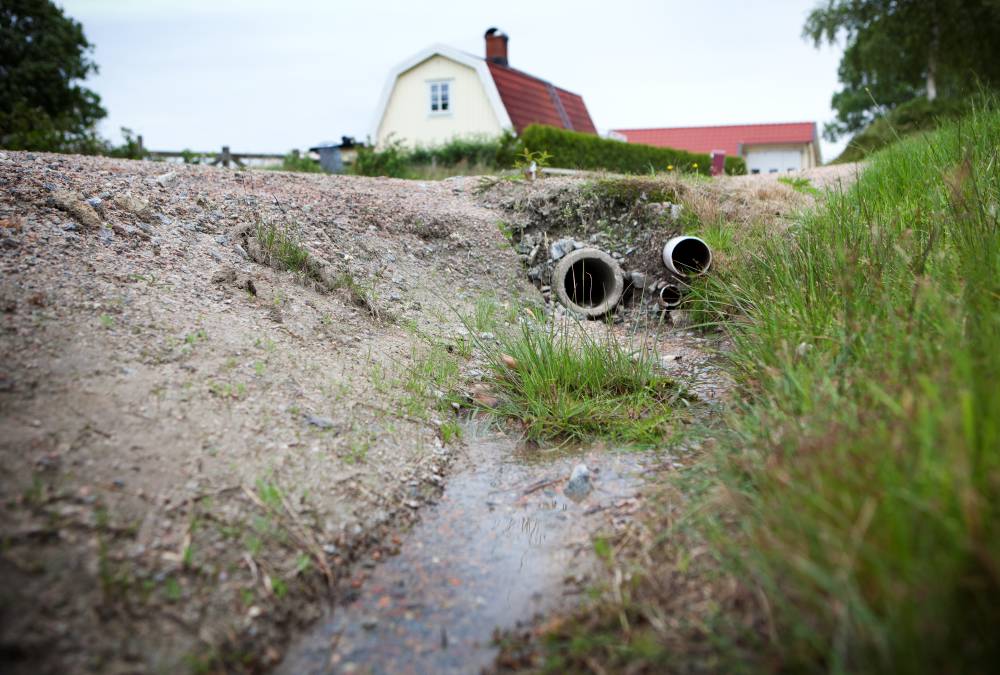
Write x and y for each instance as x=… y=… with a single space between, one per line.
x=568 y=385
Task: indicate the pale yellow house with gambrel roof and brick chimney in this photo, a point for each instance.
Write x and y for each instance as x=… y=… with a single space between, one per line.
x=441 y=92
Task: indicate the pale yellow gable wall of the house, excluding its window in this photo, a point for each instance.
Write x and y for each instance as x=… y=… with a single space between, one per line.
x=408 y=118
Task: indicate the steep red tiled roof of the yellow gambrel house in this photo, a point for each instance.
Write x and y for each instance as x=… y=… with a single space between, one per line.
x=529 y=100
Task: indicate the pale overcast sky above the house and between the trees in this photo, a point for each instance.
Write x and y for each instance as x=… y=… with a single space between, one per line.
x=271 y=75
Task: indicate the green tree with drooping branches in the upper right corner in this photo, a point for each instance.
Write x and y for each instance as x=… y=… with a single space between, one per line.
x=899 y=50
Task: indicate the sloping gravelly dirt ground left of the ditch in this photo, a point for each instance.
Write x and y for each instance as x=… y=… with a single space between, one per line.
x=200 y=451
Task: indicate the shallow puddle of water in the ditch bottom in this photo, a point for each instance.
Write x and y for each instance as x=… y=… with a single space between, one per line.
x=496 y=549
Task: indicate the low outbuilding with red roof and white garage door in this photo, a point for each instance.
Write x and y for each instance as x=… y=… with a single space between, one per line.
x=767 y=148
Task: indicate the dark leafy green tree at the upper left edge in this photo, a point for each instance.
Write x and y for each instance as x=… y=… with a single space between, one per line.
x=43 y=57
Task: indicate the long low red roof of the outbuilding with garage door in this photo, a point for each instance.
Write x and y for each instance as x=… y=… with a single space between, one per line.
x=728 y=138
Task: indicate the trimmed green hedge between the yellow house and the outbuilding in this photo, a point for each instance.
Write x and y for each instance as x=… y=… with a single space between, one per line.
x=574 y=150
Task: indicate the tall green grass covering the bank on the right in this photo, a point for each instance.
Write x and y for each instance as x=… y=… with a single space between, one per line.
x=865 y=467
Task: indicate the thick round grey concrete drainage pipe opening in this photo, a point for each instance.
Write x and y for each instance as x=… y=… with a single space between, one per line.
x=589 y=282
